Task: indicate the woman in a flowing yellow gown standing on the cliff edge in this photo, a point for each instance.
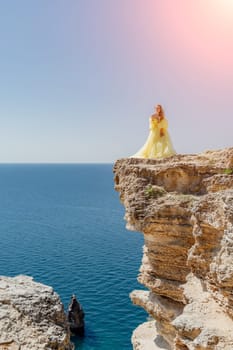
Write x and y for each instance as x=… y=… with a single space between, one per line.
x=158 y=143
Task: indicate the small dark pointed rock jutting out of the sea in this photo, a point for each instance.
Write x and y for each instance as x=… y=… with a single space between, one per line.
x=76 y=317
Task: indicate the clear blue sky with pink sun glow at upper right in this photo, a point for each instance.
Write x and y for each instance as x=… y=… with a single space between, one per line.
x=80 y=78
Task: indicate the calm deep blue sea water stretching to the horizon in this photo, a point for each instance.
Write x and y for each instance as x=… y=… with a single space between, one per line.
x=63 y=225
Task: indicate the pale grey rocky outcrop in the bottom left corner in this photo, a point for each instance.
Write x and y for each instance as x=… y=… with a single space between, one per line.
x=31 y=316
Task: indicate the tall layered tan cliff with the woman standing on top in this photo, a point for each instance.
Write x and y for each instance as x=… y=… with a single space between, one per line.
x=184 y=207
